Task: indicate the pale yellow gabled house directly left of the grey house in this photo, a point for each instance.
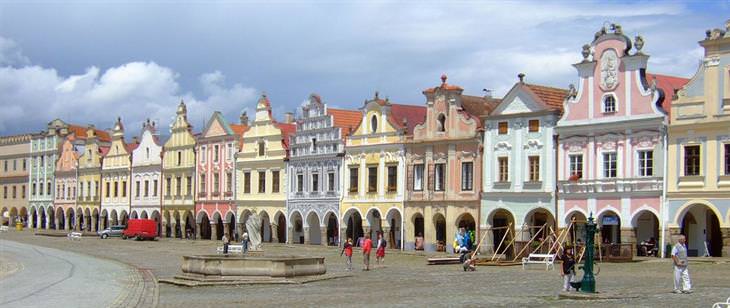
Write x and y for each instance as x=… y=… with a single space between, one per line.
x=261 y=177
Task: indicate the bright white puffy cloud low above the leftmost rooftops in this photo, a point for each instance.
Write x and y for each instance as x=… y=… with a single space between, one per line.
x=31 y=96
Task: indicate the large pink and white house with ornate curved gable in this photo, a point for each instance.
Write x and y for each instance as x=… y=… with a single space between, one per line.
x=611 y=144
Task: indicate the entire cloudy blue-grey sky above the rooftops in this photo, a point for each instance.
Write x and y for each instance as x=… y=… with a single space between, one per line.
x=87 y=62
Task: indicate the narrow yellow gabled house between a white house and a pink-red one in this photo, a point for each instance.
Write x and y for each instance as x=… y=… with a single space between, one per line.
x=178 y=173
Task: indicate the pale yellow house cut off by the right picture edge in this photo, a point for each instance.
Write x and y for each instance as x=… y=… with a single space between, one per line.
x=698 y=183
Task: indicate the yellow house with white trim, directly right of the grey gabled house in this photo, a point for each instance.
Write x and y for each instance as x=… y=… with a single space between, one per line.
x=374 y=172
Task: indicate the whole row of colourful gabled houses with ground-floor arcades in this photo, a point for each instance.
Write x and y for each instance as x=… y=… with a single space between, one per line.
x=648 y=155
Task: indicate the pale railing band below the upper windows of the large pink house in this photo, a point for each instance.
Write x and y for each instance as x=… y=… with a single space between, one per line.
x=610 y=185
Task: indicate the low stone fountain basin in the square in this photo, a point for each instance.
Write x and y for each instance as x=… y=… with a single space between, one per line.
x=253 y=266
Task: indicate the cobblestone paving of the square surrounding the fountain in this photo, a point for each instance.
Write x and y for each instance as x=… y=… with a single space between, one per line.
x=406 y=280
